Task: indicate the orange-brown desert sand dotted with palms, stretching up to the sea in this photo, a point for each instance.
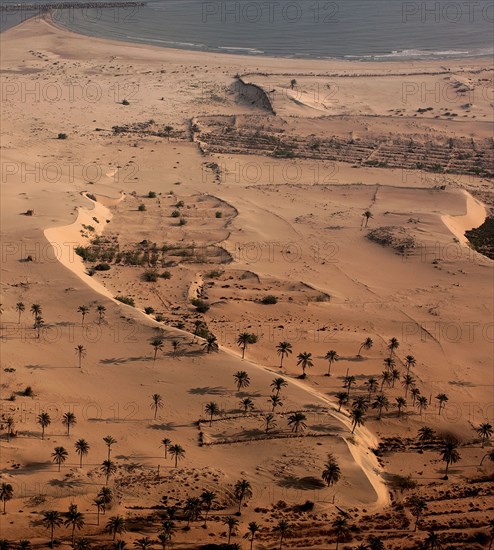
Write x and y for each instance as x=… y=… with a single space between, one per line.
x=217 y=218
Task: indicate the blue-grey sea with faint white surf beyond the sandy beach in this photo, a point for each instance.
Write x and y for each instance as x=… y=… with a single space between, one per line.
x=352 y=29
